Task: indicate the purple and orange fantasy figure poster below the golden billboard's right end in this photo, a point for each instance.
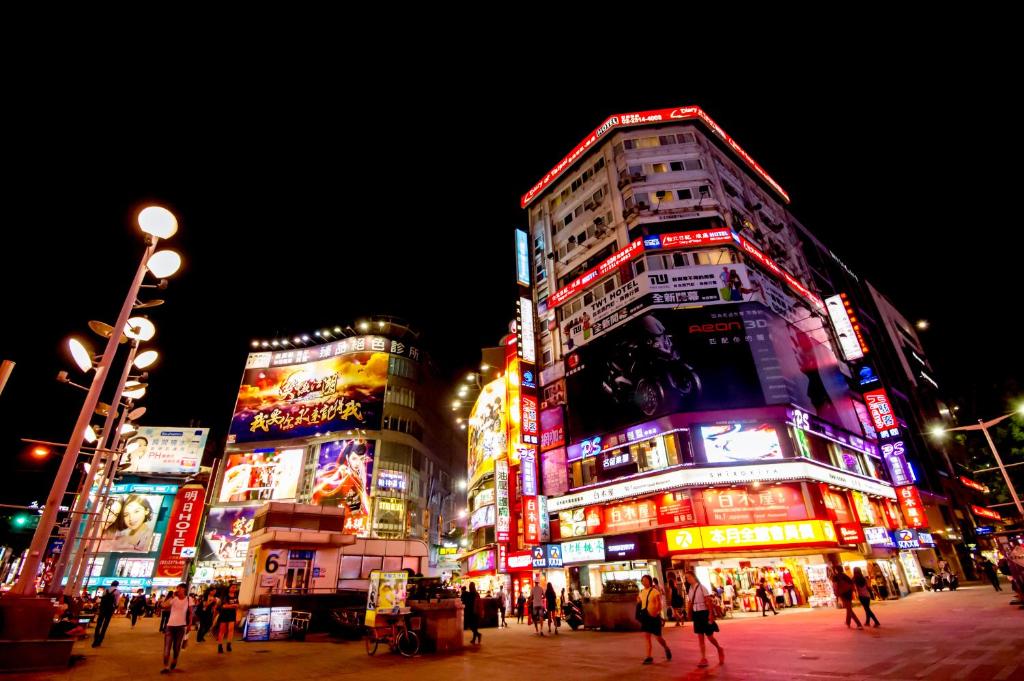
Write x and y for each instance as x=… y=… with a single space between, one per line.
x=345 y=472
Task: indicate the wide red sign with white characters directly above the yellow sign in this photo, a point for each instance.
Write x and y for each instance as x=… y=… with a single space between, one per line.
x=746 y=506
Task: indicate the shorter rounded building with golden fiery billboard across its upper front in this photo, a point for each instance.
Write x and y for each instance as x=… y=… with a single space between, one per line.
x=354 y=419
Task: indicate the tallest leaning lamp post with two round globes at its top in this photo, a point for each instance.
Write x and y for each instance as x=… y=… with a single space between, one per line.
x=157 y=224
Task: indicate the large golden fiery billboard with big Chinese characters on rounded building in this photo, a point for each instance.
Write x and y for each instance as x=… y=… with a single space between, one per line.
x=333 y=394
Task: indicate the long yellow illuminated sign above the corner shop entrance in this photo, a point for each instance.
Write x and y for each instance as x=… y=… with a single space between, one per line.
x=751 y=536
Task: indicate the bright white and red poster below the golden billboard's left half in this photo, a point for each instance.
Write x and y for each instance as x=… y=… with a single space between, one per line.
x=262 y=476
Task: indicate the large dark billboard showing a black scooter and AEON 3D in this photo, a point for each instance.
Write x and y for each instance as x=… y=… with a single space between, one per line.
x=727 y=357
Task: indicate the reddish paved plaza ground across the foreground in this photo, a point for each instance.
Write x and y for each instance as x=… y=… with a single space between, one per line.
x=969 y=634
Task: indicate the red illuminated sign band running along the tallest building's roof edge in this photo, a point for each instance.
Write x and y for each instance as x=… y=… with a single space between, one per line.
x=656 y=117
